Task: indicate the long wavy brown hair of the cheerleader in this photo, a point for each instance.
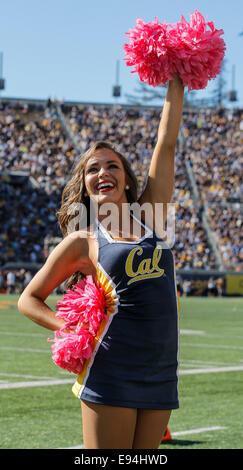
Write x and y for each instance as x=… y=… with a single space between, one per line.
x=74 y=192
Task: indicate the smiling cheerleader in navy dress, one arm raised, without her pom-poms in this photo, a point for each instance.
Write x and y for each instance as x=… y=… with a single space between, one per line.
x=128 y=388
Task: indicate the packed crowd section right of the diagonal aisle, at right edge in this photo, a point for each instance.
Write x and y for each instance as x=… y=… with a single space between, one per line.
x=214 y=148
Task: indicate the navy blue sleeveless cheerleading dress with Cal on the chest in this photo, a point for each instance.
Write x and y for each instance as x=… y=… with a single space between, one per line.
x=135 y=361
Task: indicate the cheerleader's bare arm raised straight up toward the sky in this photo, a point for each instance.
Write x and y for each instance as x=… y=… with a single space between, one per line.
x=160 y=182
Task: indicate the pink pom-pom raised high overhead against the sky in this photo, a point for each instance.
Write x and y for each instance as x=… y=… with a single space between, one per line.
x=157 y=51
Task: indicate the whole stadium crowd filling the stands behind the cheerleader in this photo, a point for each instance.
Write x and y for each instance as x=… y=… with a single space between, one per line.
x=33 y=140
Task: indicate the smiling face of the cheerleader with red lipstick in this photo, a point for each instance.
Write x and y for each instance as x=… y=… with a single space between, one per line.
x=105 y=177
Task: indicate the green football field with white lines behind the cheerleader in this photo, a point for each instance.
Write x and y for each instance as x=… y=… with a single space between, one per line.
x=39 y=411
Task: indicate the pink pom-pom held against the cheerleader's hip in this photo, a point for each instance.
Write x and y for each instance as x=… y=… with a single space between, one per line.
x=83 y=310
